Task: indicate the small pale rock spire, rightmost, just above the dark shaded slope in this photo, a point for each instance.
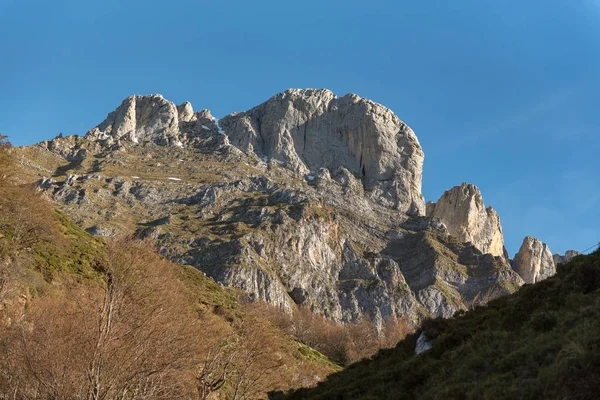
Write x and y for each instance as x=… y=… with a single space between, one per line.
x=534 y=261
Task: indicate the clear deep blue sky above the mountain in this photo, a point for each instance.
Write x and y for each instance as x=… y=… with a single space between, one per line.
x=502 y=94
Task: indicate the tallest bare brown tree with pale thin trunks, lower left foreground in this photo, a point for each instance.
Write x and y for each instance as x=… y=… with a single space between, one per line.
x=144 y=331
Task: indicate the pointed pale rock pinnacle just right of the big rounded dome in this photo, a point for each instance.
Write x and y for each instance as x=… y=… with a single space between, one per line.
x=463 y=212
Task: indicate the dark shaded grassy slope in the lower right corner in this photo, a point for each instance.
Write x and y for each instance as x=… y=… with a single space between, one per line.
x=541 y=342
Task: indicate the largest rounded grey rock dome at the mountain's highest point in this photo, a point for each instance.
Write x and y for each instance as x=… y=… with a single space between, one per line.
x=305 y=130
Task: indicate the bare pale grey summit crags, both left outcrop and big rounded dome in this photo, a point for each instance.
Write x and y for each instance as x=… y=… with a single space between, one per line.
x=303 y=130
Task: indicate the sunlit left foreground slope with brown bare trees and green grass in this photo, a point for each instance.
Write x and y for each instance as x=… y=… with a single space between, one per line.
x=82 y=317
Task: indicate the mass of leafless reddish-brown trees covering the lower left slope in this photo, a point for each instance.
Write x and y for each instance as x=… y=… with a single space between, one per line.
x=139 y=334
